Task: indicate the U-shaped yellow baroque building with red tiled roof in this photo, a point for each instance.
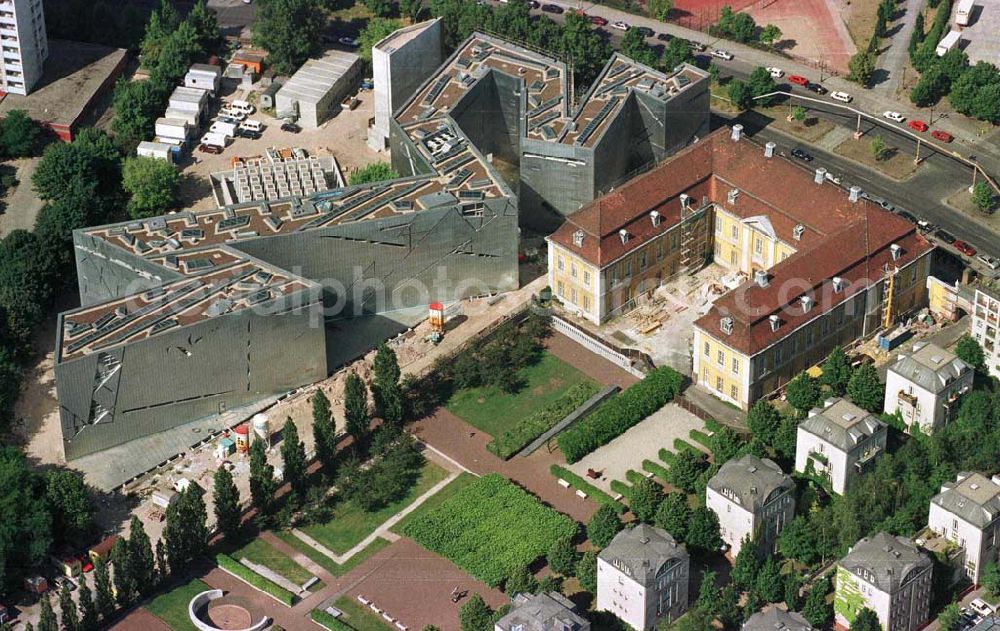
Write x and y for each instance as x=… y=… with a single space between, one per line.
x=824 y=266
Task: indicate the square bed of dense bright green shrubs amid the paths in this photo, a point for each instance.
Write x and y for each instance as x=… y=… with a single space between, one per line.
x=491 y=529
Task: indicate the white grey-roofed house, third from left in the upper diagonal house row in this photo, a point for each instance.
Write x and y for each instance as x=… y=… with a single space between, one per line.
x=838 y=442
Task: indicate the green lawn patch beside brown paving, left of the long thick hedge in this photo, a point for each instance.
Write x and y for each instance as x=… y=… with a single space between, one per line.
x=493 y=411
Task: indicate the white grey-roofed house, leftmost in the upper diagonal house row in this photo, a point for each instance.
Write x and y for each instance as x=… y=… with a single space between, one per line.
x=642 y=577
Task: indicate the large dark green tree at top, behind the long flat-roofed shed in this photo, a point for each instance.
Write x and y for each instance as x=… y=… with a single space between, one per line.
x=289 y=30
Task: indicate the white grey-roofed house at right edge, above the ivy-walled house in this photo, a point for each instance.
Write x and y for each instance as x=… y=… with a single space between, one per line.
x=966 y=512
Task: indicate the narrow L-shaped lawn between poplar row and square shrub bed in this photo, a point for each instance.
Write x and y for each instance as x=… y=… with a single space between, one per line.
x=350 y=524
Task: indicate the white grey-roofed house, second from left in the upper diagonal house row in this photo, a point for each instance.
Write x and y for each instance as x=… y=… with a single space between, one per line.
x=753 y=499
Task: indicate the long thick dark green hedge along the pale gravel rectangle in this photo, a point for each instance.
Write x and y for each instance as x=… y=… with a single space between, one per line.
x=615 y=416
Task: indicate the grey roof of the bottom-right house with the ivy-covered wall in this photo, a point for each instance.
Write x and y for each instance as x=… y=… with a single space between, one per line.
x=889 y=560
